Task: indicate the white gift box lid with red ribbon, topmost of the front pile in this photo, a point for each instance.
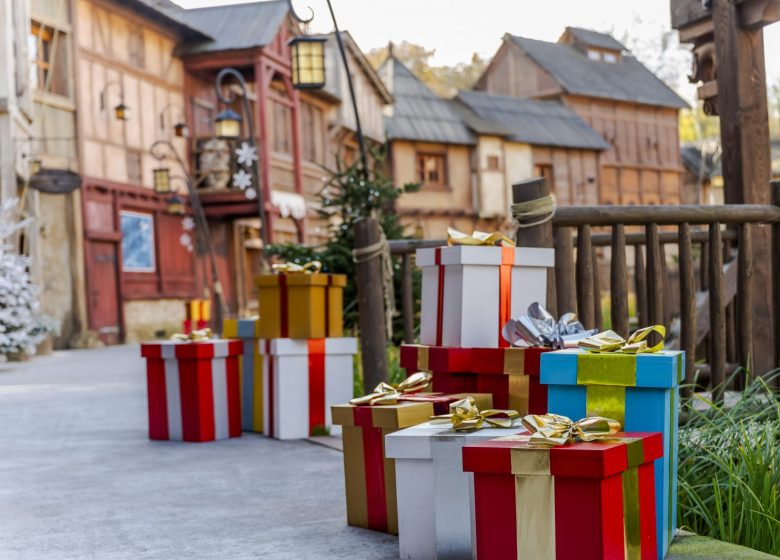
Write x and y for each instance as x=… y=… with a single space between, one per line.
x=485 y=256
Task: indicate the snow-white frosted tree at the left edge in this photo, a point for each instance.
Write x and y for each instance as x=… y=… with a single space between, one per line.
x=22 y=325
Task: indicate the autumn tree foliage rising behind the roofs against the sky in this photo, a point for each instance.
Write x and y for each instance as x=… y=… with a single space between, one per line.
x=442 y=80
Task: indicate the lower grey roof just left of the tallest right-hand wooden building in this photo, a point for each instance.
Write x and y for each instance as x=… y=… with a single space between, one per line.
x=541 y=123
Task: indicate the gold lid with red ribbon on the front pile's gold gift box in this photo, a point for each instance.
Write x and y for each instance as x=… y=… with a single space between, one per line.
x=391 y=416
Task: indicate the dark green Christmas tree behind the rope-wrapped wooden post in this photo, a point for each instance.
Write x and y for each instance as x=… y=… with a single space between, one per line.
x=345 y=198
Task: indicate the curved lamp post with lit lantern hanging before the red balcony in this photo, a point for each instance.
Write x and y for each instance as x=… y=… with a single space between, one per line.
x=228 y=126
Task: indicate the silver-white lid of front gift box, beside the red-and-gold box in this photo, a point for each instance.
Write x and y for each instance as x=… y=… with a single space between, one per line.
x=429 y=440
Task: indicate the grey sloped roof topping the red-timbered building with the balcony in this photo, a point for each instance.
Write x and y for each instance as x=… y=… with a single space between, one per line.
x=236 y=26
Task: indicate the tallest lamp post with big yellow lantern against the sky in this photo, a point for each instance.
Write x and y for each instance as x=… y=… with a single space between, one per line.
x=306 y=70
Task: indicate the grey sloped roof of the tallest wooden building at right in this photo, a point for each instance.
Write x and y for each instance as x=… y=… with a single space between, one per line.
x=625 y=80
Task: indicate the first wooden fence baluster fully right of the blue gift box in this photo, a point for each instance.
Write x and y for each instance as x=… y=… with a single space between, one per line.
x=717 y=356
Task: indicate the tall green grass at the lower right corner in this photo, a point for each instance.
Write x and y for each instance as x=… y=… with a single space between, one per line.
x=729 y=469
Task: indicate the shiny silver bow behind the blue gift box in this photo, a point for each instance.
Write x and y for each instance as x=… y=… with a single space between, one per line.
x=539 y=328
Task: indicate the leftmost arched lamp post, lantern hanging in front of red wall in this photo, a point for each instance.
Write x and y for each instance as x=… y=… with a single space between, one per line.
x=159 y=150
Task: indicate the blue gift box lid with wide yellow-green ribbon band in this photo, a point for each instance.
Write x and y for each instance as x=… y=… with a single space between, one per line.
x=662 y=369
